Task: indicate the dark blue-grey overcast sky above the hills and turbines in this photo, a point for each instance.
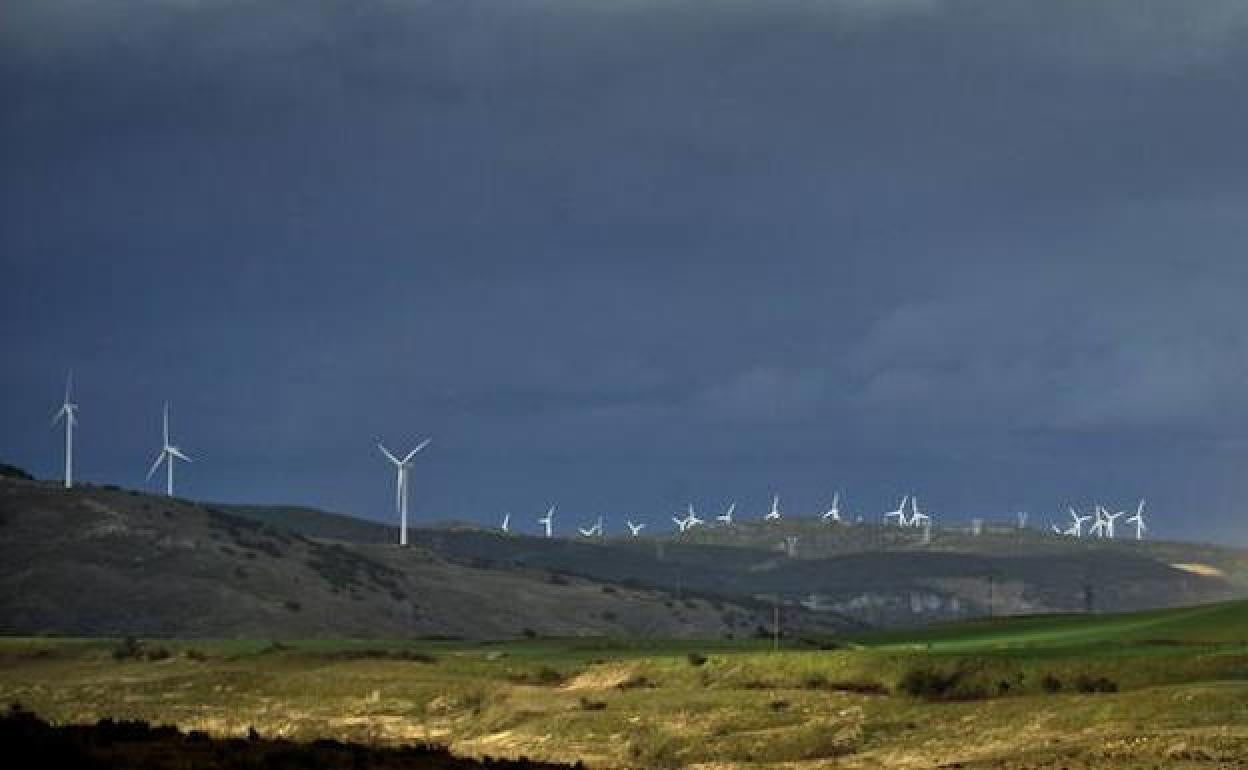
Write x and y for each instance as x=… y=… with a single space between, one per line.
x=627 y=255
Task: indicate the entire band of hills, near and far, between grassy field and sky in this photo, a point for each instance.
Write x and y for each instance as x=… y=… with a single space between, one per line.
x=107 y=561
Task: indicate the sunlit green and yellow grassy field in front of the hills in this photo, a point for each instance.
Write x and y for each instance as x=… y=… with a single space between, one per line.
x=1143 y=691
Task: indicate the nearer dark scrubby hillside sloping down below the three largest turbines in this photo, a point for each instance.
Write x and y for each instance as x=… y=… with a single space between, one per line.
x=103 y=561
